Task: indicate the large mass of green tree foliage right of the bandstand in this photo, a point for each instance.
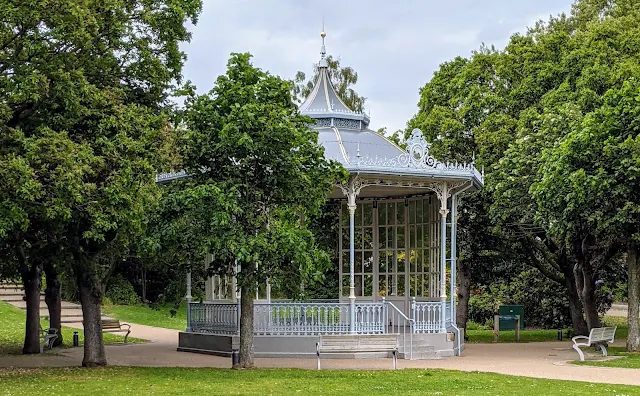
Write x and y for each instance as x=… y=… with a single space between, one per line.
x=539 y=116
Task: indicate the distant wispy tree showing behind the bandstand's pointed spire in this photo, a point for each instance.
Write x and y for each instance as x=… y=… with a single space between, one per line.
x=343 y=79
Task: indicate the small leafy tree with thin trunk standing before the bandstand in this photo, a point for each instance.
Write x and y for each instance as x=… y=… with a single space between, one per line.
x=247 y=138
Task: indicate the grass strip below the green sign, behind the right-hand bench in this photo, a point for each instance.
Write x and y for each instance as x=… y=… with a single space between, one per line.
x=535 y=335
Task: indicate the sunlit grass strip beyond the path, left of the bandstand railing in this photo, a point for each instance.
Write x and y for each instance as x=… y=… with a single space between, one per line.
x=142 y=314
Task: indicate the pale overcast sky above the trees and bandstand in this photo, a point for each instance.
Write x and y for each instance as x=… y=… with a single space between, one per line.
x=394 y=46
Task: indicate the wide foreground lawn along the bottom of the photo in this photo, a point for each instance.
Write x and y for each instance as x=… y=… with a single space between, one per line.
x=192 y=381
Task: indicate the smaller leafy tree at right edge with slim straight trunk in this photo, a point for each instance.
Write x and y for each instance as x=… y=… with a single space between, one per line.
x=589 y=184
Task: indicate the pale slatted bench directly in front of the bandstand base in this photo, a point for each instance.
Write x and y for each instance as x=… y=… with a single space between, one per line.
x=358 y=343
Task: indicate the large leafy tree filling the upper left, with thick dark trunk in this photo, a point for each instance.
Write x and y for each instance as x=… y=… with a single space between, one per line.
x=83 y=92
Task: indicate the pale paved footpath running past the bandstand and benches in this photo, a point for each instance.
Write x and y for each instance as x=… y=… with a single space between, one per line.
x=538 y=360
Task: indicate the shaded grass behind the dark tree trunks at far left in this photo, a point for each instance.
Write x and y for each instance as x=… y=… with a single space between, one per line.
x=12 y=323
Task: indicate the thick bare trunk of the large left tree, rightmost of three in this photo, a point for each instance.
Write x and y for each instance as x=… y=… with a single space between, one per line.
x=90 y=298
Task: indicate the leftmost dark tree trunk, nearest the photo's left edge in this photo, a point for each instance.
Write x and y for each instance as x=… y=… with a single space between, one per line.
x=32 y=282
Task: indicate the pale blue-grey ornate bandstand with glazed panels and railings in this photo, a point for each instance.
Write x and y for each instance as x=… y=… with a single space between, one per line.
x=397 y=249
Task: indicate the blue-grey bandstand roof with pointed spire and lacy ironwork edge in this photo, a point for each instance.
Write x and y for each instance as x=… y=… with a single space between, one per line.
x=346 y=138
